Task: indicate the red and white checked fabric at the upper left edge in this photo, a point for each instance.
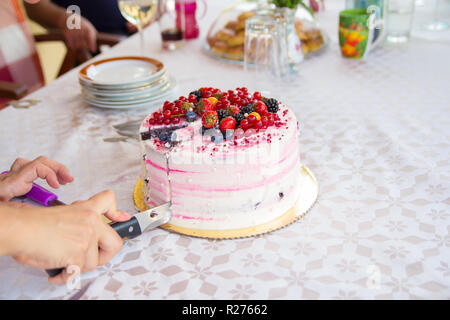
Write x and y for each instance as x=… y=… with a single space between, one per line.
x=19 y=62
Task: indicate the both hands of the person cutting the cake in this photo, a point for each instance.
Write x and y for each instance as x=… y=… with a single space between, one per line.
x=55 y=237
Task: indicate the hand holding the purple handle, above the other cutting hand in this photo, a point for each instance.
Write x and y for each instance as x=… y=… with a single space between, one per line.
x=19 y=180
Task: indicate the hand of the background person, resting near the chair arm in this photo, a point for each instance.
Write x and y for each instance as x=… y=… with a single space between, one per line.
x=84 y=37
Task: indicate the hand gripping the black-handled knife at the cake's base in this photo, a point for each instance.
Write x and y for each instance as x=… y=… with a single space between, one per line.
x=65 y=236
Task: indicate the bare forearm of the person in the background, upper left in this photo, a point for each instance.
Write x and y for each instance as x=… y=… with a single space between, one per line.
x=47 y=14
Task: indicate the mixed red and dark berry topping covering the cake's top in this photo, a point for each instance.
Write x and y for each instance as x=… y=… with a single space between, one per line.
x=230 y=114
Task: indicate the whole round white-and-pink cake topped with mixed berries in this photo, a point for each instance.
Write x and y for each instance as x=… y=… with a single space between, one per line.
x=226 y=159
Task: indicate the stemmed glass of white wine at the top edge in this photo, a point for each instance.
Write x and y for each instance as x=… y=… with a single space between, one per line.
x=139 y=13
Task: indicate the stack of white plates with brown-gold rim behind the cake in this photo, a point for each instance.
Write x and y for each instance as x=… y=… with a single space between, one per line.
x=126 y=82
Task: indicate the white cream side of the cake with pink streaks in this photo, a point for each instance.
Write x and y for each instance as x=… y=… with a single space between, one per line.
x=239 y=183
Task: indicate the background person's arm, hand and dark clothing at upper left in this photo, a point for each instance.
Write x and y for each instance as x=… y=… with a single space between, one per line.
x=96 y=16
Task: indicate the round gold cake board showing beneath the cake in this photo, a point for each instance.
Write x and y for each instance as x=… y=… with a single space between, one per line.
x=308 y=195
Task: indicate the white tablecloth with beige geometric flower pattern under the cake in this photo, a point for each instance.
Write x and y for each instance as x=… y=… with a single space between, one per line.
x=376 y=134
